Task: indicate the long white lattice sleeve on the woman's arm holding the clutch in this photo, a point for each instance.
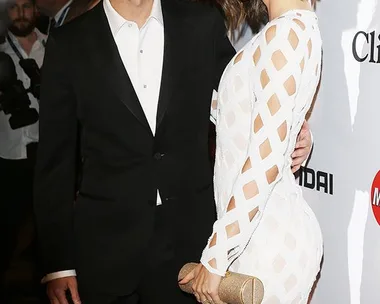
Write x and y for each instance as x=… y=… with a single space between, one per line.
x=279 y=56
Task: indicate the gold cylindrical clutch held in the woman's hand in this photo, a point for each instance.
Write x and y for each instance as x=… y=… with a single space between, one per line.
x=235 y=288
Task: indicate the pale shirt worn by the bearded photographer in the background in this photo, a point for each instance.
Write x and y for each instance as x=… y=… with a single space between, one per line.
x=13 y=142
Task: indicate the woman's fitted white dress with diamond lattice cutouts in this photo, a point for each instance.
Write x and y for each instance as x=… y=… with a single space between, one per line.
x=264 y=226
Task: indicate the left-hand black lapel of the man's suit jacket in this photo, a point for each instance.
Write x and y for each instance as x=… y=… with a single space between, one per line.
x=106 y=56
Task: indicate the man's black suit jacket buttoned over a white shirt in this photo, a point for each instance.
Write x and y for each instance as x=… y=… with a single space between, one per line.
x=114 y=228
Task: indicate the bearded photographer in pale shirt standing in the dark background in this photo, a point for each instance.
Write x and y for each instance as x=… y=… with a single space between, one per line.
x=18 y=141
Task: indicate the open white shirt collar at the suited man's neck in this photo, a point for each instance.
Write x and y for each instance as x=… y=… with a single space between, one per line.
x=116 y=21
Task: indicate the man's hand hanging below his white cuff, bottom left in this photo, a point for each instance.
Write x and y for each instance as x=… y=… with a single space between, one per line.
x=56 y=290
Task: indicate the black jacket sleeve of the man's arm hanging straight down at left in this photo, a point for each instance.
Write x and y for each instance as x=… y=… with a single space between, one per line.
x=56 y=160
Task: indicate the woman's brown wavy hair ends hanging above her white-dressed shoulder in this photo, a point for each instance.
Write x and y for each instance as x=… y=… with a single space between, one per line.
x=237 y=12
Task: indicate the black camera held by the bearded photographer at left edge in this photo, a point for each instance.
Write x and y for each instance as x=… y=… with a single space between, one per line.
x=14 y=99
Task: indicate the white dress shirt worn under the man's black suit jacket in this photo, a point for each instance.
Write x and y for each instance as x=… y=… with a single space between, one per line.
x=141 y=50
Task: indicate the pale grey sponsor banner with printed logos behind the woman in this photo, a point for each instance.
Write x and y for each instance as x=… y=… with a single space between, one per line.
x=341 y=181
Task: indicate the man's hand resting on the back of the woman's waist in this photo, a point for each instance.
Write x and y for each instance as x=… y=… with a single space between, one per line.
x=303 y=147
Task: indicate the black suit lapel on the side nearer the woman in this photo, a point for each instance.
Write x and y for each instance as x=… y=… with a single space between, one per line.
x=174 y=35
